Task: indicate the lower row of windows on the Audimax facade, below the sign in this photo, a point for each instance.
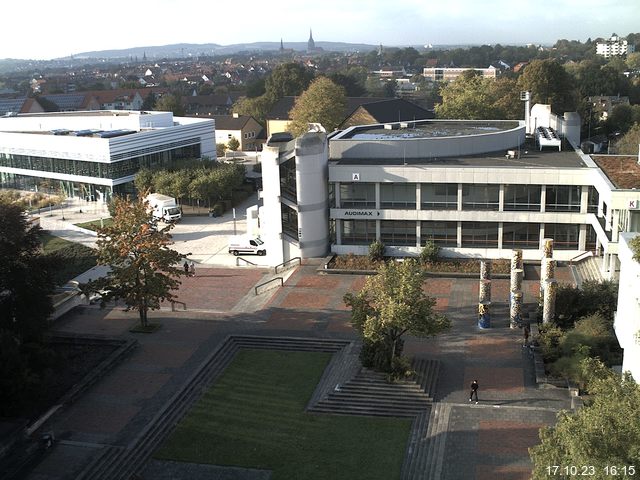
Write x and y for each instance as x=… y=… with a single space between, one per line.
x=472 y=234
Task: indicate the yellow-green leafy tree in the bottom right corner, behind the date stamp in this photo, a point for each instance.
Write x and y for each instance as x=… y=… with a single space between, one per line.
x=602 y=434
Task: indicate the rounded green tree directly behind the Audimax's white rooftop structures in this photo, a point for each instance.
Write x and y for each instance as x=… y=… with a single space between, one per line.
x=549 y=83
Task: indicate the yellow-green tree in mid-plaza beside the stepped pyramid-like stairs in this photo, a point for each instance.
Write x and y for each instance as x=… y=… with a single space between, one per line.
x=391 y=304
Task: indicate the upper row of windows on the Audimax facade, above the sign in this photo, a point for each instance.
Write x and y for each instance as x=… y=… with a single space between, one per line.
x=444 y=196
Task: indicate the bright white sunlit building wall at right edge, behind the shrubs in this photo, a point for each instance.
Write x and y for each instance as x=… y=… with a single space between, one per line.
x=627 y=322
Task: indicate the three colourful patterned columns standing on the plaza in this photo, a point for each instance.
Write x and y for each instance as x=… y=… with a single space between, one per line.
x=548 y=288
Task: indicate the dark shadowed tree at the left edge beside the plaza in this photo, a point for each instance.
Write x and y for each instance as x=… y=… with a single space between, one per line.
x=25 y=277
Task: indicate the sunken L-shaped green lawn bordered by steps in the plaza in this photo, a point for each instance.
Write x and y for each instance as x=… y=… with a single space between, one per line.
x=254 y=417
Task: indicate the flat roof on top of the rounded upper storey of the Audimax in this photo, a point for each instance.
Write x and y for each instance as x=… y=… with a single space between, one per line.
x=428 y=129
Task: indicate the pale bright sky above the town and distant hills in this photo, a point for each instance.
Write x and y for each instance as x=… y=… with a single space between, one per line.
x=45 y=29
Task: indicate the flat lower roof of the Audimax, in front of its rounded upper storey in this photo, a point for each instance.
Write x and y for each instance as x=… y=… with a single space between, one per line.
x=527 y=156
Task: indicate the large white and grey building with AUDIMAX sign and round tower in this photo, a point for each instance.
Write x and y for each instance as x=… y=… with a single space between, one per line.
x=476 y=188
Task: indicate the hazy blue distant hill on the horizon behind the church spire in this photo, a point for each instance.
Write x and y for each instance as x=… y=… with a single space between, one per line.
x=194 y=49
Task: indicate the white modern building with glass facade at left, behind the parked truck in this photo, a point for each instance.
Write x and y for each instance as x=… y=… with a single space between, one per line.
x=96 y=154
